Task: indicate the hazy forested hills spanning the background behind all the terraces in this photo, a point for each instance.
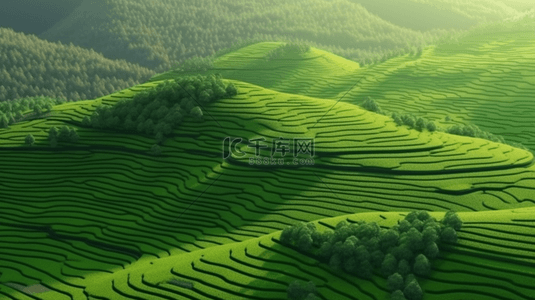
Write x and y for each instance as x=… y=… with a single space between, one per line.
x=159 y=34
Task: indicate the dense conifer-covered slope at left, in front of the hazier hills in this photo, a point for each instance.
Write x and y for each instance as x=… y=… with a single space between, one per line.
x=34 y=67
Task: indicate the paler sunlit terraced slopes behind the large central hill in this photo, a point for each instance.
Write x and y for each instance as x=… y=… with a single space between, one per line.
x=486 y=79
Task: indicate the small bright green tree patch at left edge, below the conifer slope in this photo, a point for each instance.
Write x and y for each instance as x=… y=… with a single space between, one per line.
x=13 y=111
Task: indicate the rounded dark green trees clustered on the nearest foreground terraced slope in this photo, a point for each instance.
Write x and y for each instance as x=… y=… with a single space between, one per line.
x=400 y=253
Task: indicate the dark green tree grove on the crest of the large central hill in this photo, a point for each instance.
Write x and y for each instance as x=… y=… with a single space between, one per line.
x=159 y=110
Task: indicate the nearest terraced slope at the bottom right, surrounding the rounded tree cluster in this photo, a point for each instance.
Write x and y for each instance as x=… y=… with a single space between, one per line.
x=485 y=265
